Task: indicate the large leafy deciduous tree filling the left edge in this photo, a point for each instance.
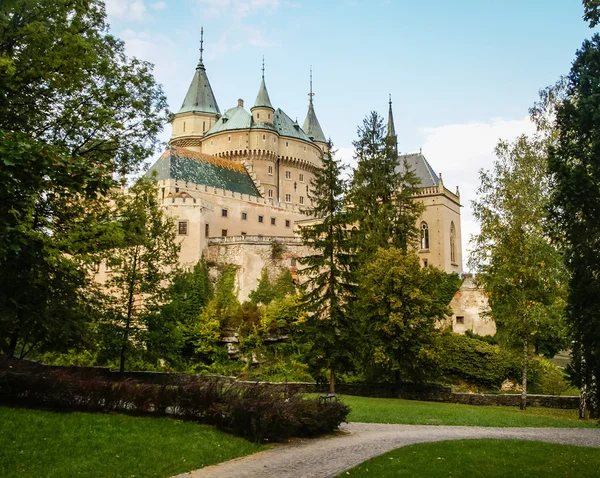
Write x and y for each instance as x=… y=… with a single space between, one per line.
x=73 y=110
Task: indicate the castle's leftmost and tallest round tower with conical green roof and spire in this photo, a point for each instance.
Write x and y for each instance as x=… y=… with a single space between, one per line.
x=199 y=111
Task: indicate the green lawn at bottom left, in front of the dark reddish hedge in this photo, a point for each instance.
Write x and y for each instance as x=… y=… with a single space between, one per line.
x=49 y=444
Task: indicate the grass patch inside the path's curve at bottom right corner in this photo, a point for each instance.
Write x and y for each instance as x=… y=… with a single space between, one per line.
x=483 y=458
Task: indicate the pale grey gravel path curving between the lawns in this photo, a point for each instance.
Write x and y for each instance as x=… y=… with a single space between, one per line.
x=329 y=456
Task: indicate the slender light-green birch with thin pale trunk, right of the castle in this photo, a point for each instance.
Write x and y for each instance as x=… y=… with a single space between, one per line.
x=521 y=270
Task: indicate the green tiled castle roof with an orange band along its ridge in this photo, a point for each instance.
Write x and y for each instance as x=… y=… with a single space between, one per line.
x=186 y=165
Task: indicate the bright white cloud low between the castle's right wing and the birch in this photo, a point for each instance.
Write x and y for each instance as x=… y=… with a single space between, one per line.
x=459 y=151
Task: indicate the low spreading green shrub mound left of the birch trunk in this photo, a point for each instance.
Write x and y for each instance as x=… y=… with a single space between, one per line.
x=474 y=361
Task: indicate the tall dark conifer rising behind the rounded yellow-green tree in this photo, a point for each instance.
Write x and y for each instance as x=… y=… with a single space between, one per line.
x=382 y=191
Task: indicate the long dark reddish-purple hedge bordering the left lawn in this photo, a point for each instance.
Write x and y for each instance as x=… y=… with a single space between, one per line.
x=257 y=412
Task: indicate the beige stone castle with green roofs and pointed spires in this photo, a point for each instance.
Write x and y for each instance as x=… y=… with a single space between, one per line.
x=238 y=181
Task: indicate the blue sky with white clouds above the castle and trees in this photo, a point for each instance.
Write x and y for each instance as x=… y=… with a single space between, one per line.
x=462 y=74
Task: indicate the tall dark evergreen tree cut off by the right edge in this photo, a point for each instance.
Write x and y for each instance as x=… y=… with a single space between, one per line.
x=575 y=168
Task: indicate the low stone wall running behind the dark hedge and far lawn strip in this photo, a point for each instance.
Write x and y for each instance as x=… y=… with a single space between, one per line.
x=430 y=393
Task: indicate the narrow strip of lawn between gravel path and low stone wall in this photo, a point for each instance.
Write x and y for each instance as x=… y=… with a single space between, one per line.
x=390 y=410
